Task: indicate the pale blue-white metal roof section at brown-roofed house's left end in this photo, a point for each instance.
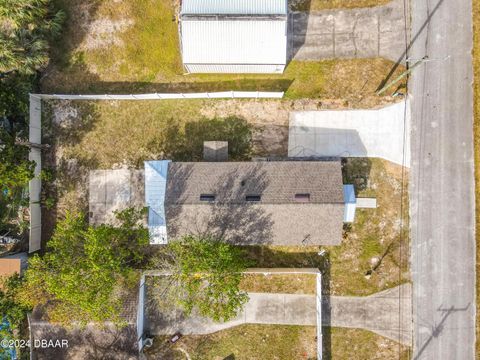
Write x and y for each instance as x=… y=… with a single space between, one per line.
x=155 y=185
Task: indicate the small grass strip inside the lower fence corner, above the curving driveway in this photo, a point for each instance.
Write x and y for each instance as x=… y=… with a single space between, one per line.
x=280 y=283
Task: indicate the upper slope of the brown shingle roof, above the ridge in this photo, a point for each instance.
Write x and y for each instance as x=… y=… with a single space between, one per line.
x=276 y=182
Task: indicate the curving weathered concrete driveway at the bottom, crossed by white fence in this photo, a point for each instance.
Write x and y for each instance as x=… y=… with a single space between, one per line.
x=378 y=313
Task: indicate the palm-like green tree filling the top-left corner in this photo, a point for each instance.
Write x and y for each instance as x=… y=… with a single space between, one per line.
x=27 y=25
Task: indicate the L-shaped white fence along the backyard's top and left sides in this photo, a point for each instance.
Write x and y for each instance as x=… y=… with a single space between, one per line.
x=35 y=136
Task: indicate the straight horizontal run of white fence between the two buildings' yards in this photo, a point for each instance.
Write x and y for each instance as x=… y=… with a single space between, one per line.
x=164 y=96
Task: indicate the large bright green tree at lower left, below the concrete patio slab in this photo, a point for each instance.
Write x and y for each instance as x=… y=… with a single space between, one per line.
x=87 y=270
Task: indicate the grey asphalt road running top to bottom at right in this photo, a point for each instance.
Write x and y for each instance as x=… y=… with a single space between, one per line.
x=442 y=181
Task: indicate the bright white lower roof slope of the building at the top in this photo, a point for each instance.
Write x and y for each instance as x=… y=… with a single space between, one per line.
x=234 y=42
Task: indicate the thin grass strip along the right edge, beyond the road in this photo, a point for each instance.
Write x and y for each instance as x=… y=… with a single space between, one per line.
x=476 y=132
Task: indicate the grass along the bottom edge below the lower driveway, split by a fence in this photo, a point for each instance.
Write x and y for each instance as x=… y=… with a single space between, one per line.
x=279 y=342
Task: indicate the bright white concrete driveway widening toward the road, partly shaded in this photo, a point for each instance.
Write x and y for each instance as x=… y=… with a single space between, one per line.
x=383 y=133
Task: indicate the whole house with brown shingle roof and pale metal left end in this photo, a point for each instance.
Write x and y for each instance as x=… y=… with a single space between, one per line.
x=278 y=202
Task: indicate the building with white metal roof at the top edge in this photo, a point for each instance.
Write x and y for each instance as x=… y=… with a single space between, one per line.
x=234 y=36
